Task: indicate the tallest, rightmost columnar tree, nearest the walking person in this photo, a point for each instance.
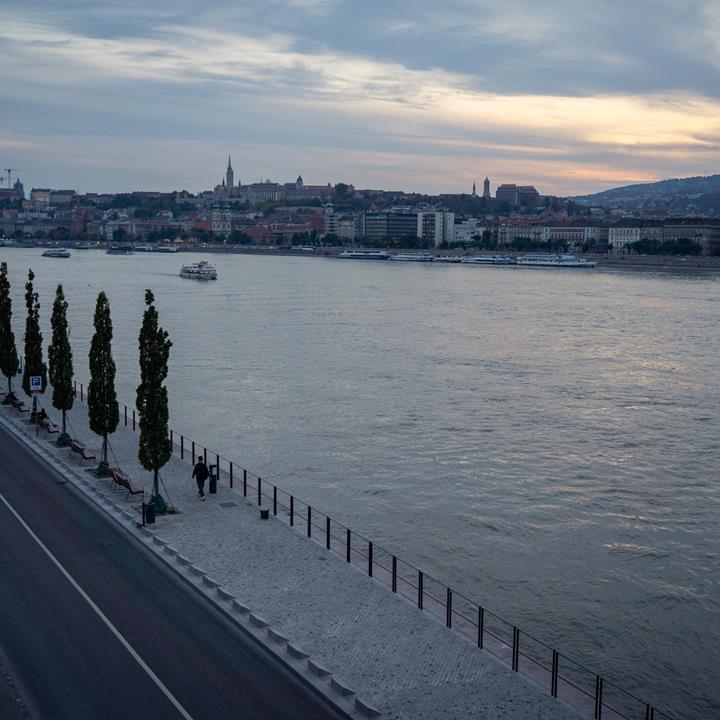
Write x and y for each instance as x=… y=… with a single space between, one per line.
x=152 y=398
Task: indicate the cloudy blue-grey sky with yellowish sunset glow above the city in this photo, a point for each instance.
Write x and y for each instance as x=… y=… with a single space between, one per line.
x=570 y=96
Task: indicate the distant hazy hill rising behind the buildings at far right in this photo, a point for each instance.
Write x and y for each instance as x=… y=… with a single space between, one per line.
x=681 y=195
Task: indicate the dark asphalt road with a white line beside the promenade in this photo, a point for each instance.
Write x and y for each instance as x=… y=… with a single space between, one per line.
x=104 y=631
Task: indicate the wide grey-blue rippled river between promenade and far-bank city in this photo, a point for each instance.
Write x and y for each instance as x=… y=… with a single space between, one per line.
x=544 y=441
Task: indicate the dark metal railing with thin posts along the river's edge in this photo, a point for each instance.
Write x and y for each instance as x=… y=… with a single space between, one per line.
x=593 y=695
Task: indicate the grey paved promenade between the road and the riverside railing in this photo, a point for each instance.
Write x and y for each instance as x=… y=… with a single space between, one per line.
x=375 y=645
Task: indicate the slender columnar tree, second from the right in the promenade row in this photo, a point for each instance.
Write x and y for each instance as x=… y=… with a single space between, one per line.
x=103 y=410
